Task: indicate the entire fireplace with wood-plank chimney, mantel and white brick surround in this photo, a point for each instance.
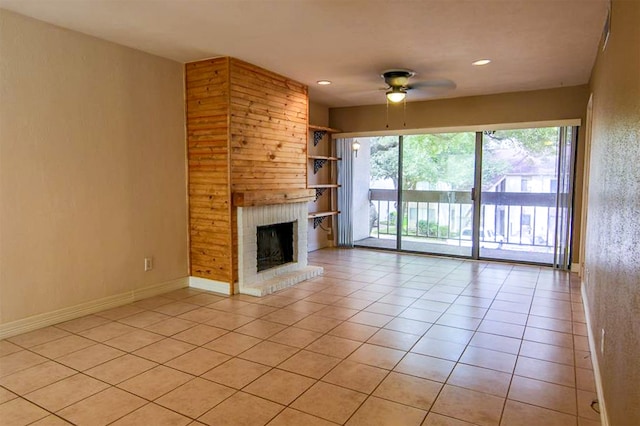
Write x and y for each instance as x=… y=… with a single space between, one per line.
x=247 y=135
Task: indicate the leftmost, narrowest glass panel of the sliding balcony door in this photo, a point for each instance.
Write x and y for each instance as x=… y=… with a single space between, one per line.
x=375 y=192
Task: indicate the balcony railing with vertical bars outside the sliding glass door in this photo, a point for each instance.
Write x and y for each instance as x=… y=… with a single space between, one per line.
x=506 y=218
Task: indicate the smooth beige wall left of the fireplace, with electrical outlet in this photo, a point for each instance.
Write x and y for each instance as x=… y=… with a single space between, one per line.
x=92 y=169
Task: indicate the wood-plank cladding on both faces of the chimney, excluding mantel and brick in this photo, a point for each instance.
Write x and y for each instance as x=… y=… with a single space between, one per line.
x=247 y=131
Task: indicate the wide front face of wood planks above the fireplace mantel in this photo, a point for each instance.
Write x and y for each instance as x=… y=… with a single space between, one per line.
x=268 y=130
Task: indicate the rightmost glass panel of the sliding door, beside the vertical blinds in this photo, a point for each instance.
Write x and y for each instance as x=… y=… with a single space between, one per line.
x=519 y=194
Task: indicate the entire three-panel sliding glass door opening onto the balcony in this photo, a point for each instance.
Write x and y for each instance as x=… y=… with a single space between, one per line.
x=498 y=195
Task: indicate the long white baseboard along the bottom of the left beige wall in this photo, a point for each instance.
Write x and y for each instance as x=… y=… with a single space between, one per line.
x=72 y=312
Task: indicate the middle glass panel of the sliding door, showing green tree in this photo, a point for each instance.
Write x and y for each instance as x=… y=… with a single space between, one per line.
x=437 y=176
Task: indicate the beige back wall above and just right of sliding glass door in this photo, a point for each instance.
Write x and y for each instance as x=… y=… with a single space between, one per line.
x=478 y=113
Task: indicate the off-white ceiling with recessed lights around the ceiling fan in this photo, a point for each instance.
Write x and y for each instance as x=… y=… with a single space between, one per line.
x=534 y=44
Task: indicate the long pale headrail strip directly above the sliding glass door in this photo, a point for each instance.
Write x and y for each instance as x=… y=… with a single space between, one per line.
x=457 y=129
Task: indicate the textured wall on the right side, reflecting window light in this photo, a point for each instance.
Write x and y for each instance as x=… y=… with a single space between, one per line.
x=613 y=220
